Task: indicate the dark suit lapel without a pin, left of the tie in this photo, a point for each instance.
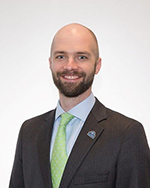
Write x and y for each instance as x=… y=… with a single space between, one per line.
x=44 y=149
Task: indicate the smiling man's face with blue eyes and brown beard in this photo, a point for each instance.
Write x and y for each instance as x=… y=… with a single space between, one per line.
x=73 y=63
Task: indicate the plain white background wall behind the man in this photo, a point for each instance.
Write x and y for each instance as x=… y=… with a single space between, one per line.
x=26 y=87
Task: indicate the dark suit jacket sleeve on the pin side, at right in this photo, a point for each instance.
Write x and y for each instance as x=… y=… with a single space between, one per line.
x=133 y=167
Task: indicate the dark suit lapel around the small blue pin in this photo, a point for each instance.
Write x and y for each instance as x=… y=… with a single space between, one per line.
x=84 y=143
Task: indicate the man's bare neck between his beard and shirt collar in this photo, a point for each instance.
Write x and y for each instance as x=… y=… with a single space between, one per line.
x=69 y=102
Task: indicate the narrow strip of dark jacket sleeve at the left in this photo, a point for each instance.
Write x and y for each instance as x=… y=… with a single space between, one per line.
x=16 y=180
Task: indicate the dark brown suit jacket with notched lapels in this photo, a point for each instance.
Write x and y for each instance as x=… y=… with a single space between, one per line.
x=118 y=157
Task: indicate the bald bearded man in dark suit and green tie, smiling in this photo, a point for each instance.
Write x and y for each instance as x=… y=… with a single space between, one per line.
x=101 y=148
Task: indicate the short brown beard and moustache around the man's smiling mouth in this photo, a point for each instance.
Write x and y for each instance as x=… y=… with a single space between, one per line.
x=70 y=89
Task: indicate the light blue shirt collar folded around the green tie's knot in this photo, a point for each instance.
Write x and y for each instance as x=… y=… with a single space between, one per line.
x=81 y=110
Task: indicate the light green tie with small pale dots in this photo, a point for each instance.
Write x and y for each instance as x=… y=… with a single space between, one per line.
x=59 y=154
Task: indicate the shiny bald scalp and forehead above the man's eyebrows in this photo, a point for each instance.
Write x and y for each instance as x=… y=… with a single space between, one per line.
x=75 y=33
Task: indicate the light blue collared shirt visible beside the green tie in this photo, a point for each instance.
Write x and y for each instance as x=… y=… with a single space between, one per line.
x=73 y=128
